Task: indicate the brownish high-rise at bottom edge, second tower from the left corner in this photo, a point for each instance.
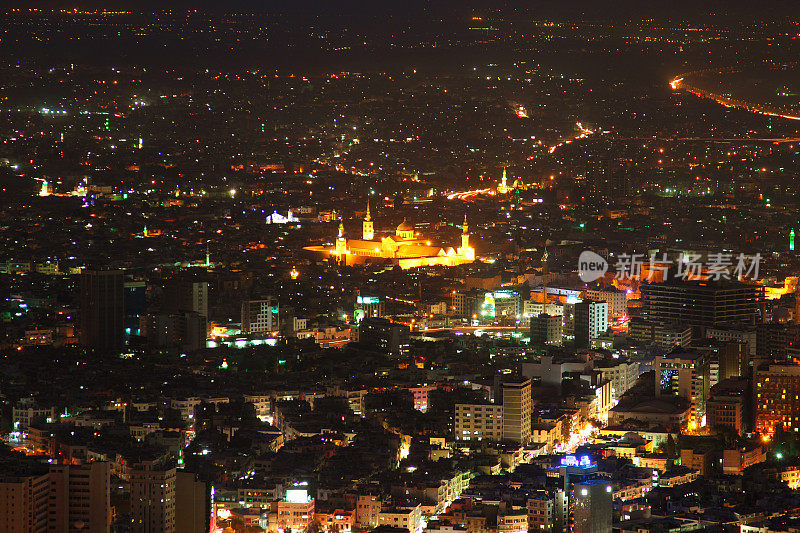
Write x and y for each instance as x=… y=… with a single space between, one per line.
x=79 y=494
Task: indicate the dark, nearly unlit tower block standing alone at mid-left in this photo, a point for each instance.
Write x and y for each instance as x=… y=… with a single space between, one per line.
x=102 y=318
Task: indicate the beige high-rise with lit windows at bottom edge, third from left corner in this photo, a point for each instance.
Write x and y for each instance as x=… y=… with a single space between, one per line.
x=152 y=498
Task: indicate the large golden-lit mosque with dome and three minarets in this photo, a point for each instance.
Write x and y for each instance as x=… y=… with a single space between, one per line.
x=405 y=248
